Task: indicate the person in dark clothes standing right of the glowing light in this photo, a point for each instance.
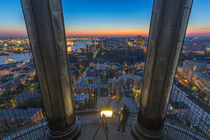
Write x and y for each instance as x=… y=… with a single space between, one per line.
x=123 y=118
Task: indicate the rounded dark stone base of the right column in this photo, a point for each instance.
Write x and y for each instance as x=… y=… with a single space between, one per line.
x=141 y=133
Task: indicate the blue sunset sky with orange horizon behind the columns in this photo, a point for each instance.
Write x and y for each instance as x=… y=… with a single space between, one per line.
x=103 y=17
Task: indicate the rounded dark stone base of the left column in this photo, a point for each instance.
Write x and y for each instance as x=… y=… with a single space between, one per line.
x=70 y=133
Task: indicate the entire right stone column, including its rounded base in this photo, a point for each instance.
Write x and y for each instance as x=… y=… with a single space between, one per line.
x=167 y=31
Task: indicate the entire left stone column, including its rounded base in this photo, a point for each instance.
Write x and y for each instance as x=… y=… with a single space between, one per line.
x=45 y=27
